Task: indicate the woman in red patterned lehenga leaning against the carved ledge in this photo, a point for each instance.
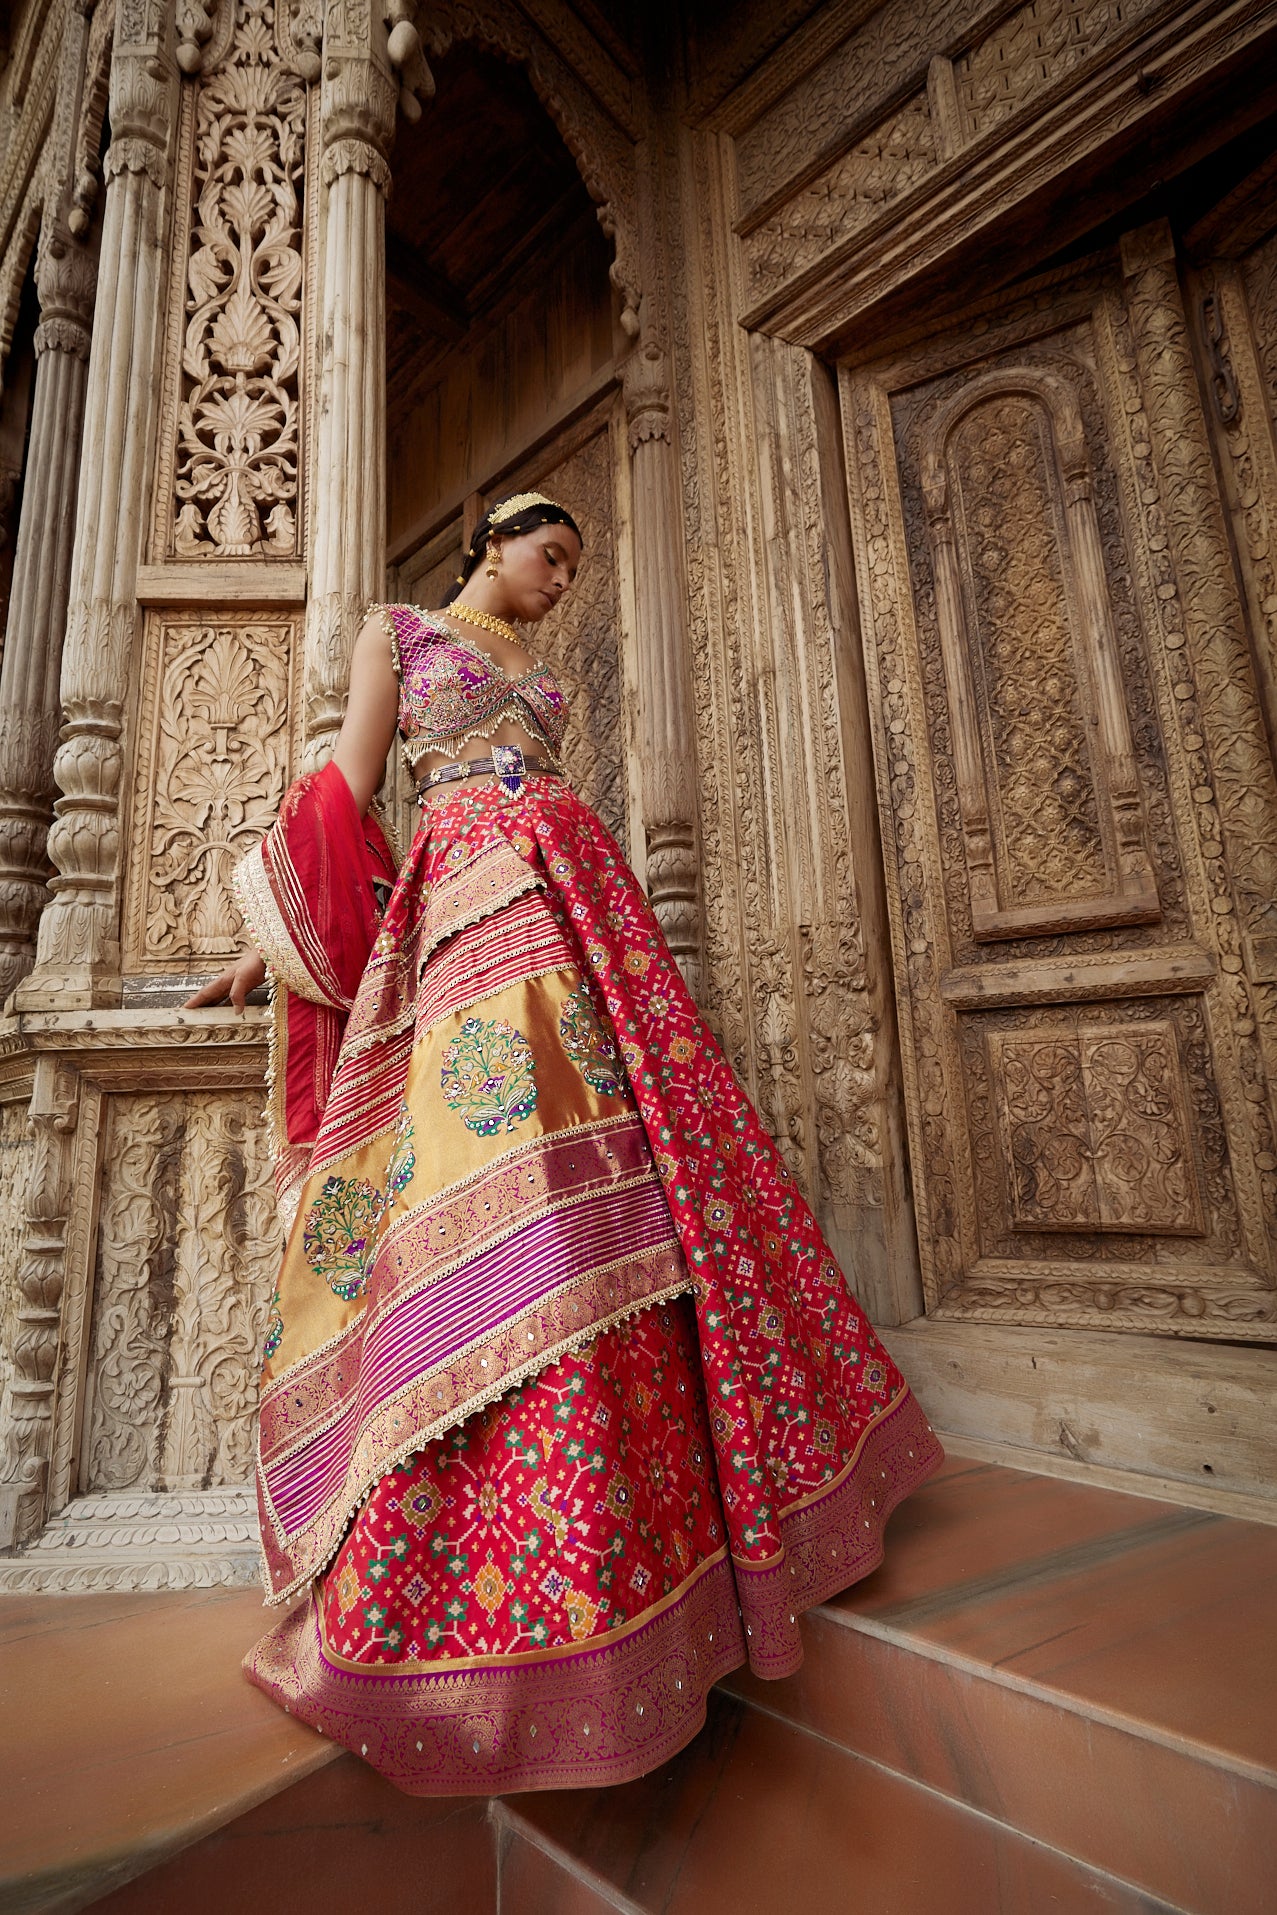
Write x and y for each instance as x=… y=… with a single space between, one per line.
x=566 y=1407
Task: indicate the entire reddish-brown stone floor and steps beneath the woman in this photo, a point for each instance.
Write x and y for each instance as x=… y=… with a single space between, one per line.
x=1048 y=1700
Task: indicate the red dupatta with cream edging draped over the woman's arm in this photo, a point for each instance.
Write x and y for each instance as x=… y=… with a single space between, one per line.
x=313 y=895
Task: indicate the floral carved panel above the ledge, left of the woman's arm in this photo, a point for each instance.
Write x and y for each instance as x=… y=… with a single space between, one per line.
x=213 y=761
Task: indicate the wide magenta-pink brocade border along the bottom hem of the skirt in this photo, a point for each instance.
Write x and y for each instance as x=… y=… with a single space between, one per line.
x=623 y=1703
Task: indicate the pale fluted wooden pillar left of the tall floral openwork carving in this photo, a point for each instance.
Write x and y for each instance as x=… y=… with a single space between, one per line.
x=78 y=955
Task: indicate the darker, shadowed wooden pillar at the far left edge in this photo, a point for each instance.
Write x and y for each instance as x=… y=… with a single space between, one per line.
x=32 y=664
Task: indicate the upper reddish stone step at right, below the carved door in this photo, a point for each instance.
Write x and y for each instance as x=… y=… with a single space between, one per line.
x=1090 y=1669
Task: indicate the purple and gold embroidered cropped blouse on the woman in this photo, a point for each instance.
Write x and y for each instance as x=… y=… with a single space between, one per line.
x=453 y=692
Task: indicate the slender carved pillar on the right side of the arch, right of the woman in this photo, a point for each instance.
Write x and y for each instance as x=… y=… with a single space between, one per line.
x=665 y=694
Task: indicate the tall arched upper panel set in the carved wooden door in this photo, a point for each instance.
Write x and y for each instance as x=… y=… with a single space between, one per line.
x=1052 y=815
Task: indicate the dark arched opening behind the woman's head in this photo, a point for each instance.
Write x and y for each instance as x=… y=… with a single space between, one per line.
x=503 y=351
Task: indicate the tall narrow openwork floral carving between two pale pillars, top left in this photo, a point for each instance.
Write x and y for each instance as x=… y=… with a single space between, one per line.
x=236 y=482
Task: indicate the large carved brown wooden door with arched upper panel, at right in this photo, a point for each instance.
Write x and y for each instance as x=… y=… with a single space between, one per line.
x=1079 y=815
